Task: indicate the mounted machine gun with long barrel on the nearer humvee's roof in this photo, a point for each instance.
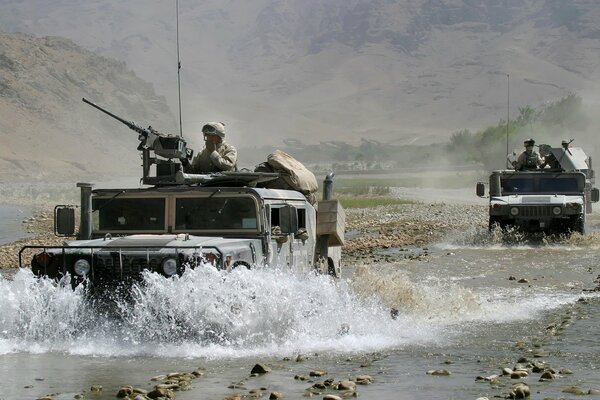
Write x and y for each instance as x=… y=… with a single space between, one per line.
x=166 y=146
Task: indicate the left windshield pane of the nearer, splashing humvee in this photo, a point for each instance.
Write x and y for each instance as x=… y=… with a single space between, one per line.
x=128 y=214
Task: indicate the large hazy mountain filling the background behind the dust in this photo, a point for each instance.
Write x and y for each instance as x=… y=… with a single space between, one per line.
x=397 y=71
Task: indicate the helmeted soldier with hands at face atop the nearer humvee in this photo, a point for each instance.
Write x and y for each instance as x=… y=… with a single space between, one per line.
x=216 y=156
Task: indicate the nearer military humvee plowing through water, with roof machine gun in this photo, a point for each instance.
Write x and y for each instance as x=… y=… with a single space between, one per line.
x=222 y=220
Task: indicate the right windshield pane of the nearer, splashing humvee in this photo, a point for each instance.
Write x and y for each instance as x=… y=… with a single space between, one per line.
x=216 y=213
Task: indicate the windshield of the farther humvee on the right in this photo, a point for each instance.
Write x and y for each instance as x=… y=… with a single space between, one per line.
x=544 y=185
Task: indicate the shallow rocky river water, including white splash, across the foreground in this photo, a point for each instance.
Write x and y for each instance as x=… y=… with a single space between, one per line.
x=458 y=309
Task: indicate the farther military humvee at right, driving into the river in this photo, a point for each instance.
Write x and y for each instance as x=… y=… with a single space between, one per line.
x=552 y=199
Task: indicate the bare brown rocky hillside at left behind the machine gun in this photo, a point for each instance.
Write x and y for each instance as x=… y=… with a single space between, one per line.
x=48 y=133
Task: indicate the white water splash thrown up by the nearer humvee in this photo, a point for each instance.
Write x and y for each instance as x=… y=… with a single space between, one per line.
x=204 y=312
